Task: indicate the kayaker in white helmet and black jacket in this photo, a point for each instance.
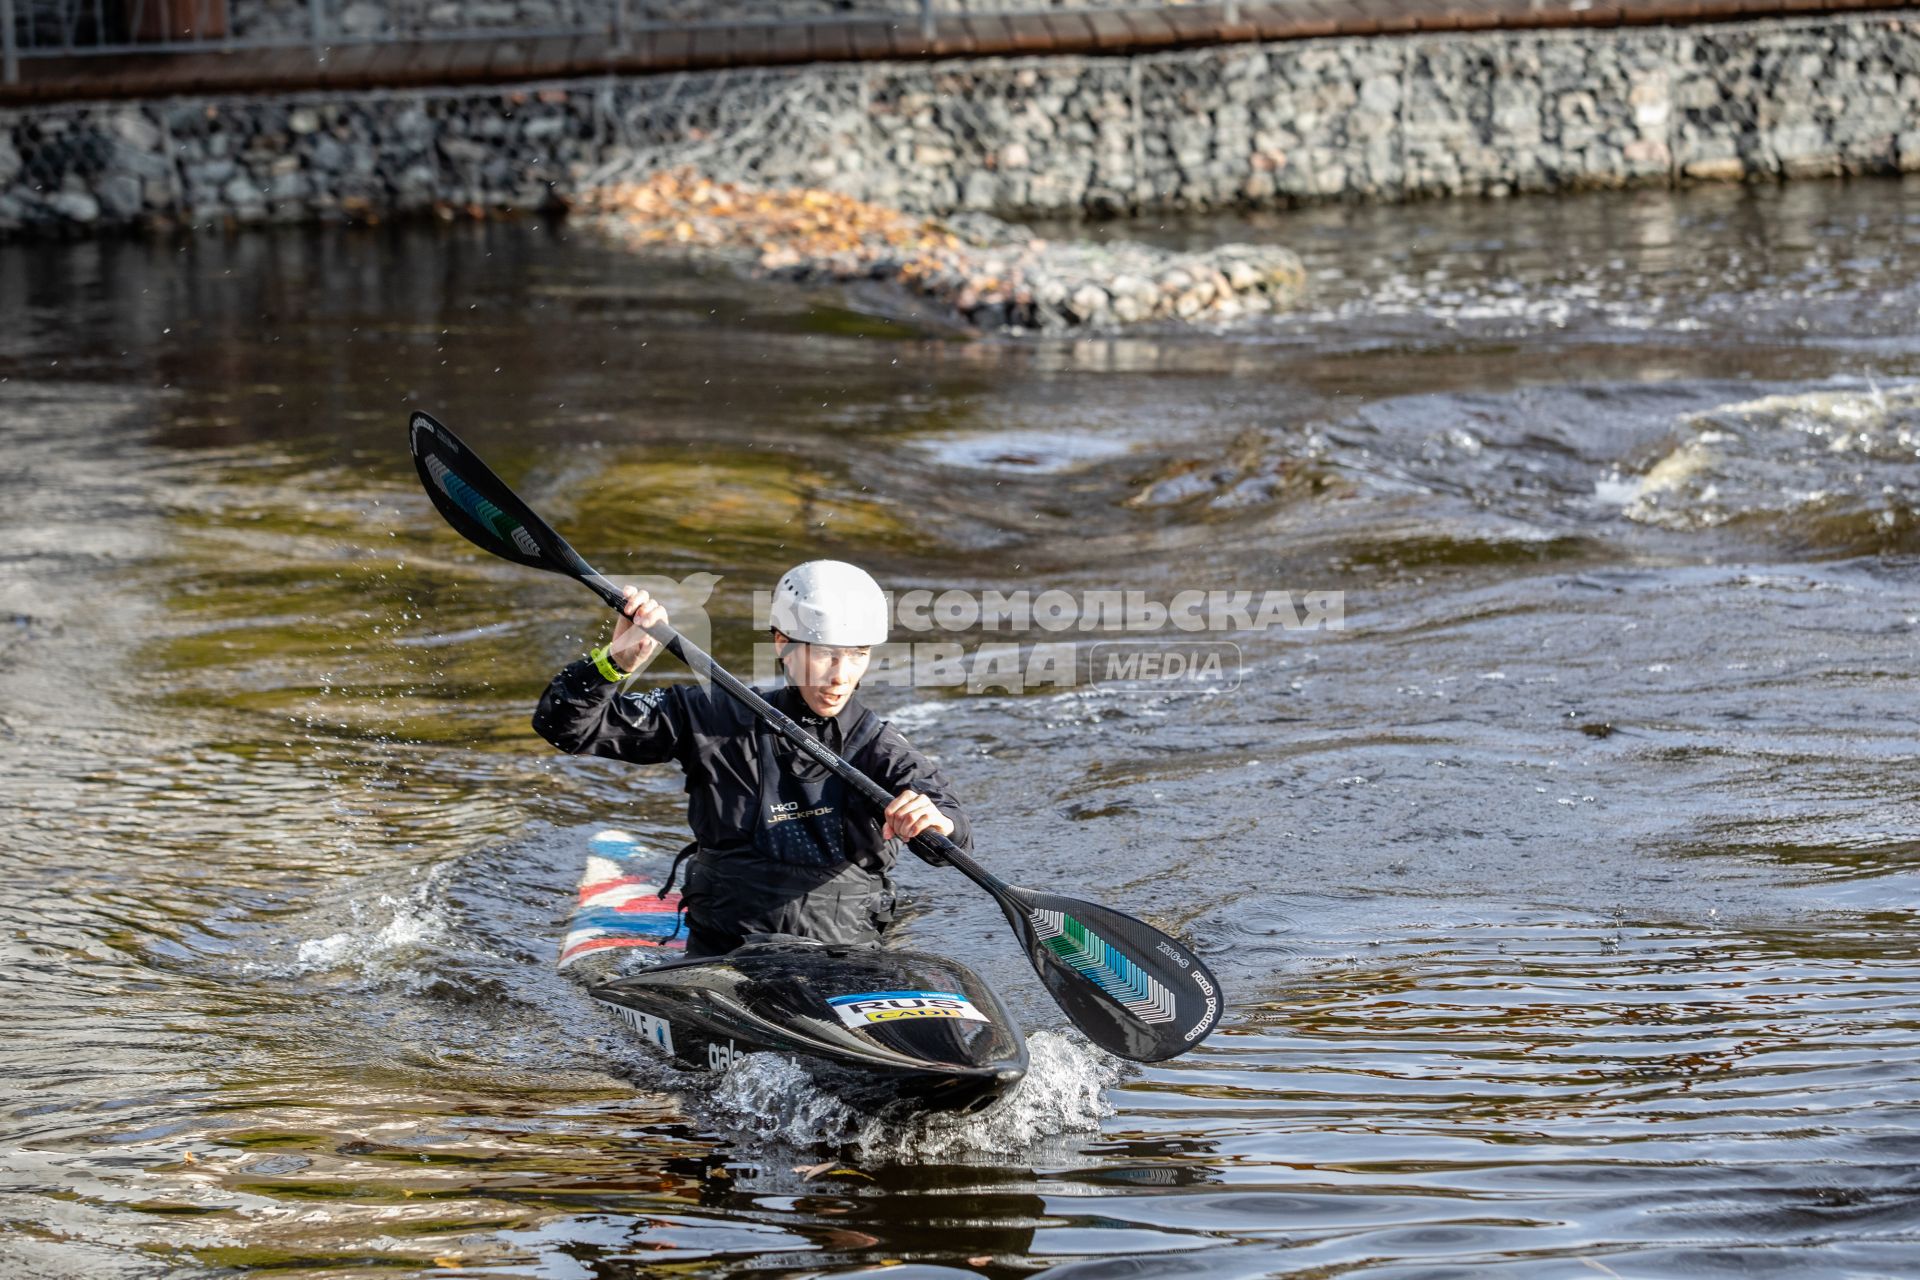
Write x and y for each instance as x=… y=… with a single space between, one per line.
x=780 y=845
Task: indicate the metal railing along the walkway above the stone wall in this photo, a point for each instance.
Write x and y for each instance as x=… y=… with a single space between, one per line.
x=122 y=28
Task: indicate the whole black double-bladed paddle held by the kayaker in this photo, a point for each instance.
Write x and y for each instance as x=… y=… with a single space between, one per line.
x=1130 y=987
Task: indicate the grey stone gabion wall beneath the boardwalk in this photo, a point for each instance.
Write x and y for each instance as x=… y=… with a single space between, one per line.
x=1236 y=126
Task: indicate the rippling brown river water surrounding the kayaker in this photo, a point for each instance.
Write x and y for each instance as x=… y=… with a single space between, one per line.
x=1564 y=897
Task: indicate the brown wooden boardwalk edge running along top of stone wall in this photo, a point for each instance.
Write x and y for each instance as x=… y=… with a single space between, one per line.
x=498 y=60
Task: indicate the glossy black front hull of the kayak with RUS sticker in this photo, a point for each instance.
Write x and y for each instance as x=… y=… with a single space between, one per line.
x=886 y=1031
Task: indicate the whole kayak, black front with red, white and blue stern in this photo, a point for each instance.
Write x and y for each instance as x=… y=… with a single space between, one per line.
x=886 y=1031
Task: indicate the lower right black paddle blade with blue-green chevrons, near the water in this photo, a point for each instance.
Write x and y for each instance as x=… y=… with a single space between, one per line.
x=1130 y=987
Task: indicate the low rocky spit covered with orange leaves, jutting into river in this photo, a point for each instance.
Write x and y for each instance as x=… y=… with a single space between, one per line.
x=988 y=273
